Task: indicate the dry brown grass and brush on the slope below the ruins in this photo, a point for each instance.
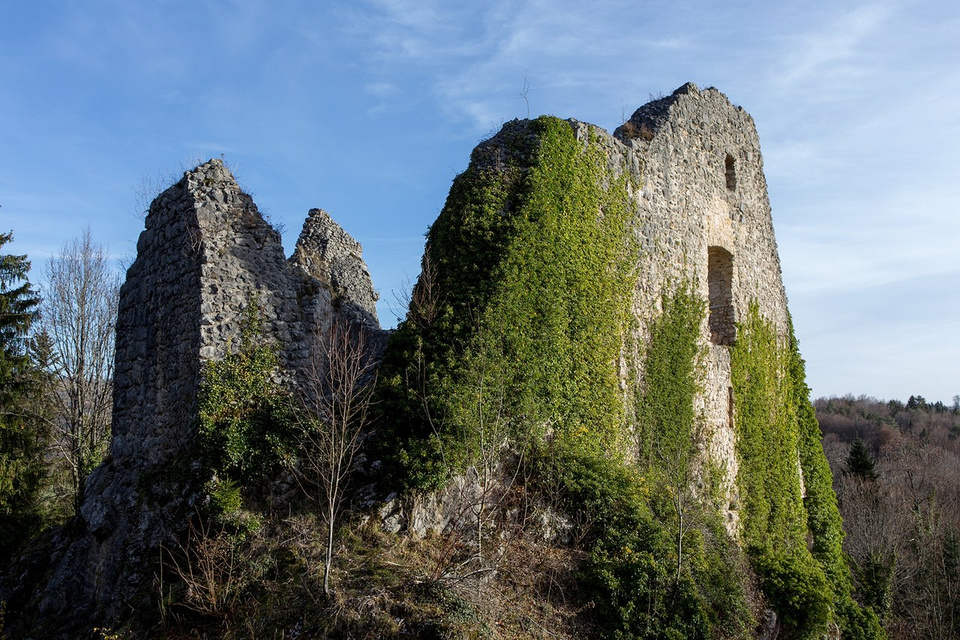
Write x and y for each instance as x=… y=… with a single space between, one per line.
x=269 y=584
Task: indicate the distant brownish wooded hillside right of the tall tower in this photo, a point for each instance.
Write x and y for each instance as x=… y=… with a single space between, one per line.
x=896 y=471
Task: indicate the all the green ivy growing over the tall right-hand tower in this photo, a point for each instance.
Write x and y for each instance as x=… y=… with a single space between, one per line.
x=518 y=339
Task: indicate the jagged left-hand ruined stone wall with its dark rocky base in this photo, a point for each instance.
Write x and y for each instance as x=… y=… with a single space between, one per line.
x=205 y=253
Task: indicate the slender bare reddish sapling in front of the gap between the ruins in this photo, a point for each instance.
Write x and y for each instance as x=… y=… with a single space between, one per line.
x=337 y=395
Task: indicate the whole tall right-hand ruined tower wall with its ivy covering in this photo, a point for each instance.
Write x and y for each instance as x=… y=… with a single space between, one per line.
x=564 y=311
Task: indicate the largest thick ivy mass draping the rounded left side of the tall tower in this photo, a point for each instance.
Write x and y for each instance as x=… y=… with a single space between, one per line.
x=528 y=323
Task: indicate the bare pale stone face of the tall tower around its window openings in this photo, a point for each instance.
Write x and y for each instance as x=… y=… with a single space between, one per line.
x=705 y=215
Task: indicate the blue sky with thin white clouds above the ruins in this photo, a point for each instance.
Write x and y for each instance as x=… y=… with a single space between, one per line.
x=369 y=109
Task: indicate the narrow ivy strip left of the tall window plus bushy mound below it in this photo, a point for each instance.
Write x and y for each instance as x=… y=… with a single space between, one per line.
x=641 y=581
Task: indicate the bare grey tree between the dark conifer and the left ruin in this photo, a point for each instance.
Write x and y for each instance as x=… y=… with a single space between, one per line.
x=79 y=314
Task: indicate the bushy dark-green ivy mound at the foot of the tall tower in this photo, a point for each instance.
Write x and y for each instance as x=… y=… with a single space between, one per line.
x=630 y=574
